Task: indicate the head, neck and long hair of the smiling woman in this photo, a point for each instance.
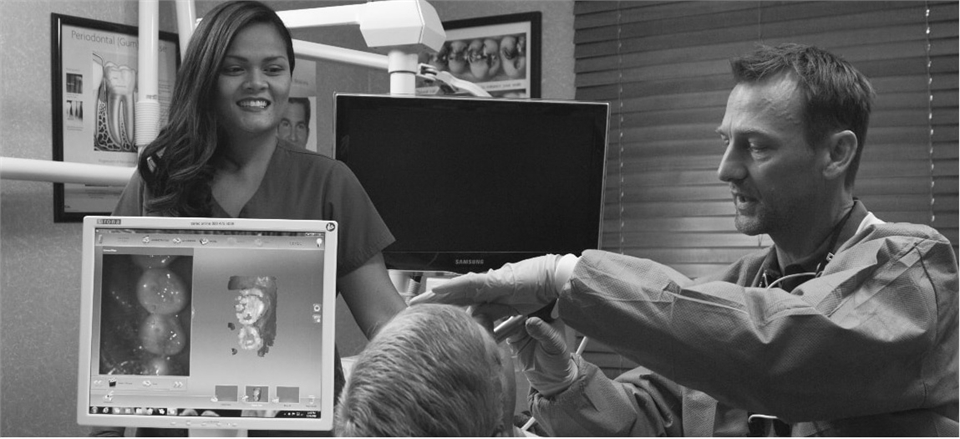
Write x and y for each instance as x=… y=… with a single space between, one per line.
x=243 y=67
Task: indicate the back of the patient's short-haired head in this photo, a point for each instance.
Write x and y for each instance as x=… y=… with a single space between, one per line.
x=431 y=371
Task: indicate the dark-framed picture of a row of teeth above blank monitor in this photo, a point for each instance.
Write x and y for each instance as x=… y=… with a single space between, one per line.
x=501 y=54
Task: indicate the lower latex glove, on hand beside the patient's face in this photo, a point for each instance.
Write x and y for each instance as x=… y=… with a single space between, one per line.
x=544 y=357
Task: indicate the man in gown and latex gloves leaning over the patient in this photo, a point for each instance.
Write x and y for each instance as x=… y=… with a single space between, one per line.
x=846 y=326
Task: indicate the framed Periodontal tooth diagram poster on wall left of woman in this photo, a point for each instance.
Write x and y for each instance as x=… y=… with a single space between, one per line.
x=94 y=98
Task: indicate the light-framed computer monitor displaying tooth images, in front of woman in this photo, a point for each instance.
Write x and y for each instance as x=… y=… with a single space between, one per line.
x=181 y=316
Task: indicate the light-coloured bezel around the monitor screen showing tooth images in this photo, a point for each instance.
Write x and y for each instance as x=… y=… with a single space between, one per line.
x=324 y=422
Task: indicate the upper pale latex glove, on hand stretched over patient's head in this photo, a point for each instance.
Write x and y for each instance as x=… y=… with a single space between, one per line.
x=522 y=287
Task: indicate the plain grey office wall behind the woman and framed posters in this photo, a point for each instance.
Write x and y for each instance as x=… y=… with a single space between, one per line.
x=40 y=259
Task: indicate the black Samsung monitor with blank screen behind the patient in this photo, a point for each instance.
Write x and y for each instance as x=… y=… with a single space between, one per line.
x=467 y=184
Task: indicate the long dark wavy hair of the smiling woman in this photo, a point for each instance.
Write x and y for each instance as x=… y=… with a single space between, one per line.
x=176 y=167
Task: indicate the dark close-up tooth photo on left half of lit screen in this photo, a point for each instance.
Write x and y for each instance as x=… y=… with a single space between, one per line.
x=145 y=318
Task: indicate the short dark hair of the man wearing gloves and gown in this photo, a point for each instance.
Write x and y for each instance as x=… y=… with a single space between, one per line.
x=836 y=96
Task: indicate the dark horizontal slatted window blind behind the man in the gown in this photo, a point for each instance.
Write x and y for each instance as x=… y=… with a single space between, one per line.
x=664 y=68
